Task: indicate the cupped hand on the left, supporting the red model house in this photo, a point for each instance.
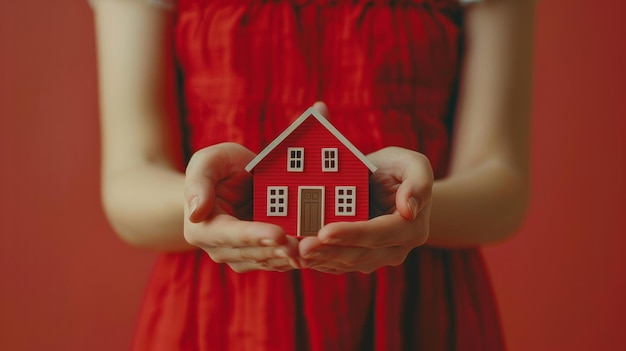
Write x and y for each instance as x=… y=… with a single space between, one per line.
x=218 y=210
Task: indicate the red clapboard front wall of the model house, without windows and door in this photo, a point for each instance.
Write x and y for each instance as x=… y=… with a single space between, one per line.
x=272 y=171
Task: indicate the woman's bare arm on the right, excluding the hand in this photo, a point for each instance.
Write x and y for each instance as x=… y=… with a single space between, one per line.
x=485 y=196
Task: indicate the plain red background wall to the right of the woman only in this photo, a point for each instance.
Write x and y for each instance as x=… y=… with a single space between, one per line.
x=561 y=281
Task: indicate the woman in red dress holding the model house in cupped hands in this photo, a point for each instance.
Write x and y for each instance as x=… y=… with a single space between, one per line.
x=394 y=75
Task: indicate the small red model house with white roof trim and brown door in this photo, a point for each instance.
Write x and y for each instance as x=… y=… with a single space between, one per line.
x=310 y=175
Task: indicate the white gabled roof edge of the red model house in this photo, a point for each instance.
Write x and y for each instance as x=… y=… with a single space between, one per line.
x=308 y=113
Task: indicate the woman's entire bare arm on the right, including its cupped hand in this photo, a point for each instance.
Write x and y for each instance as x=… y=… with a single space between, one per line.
x=485 y=196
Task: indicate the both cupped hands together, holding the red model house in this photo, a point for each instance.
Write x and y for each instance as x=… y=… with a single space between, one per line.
x=218 y=199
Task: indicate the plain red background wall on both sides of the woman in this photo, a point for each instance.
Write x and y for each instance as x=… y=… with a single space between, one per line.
x=66 y=283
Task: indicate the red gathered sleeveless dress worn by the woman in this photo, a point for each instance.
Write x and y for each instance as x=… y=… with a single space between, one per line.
x=388 y=71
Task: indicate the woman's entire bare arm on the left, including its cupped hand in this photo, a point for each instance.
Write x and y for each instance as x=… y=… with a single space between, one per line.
x=143 y=193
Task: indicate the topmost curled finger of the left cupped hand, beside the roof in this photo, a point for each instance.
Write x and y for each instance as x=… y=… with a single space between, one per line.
x=205 y=170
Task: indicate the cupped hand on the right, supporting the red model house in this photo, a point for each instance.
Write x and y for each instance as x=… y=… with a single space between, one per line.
x=400 y=201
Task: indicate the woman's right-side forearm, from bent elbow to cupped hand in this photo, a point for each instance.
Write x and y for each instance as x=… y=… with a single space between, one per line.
x=480 y=206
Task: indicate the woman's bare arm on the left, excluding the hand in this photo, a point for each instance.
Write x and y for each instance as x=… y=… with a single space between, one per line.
x=142 y=190
